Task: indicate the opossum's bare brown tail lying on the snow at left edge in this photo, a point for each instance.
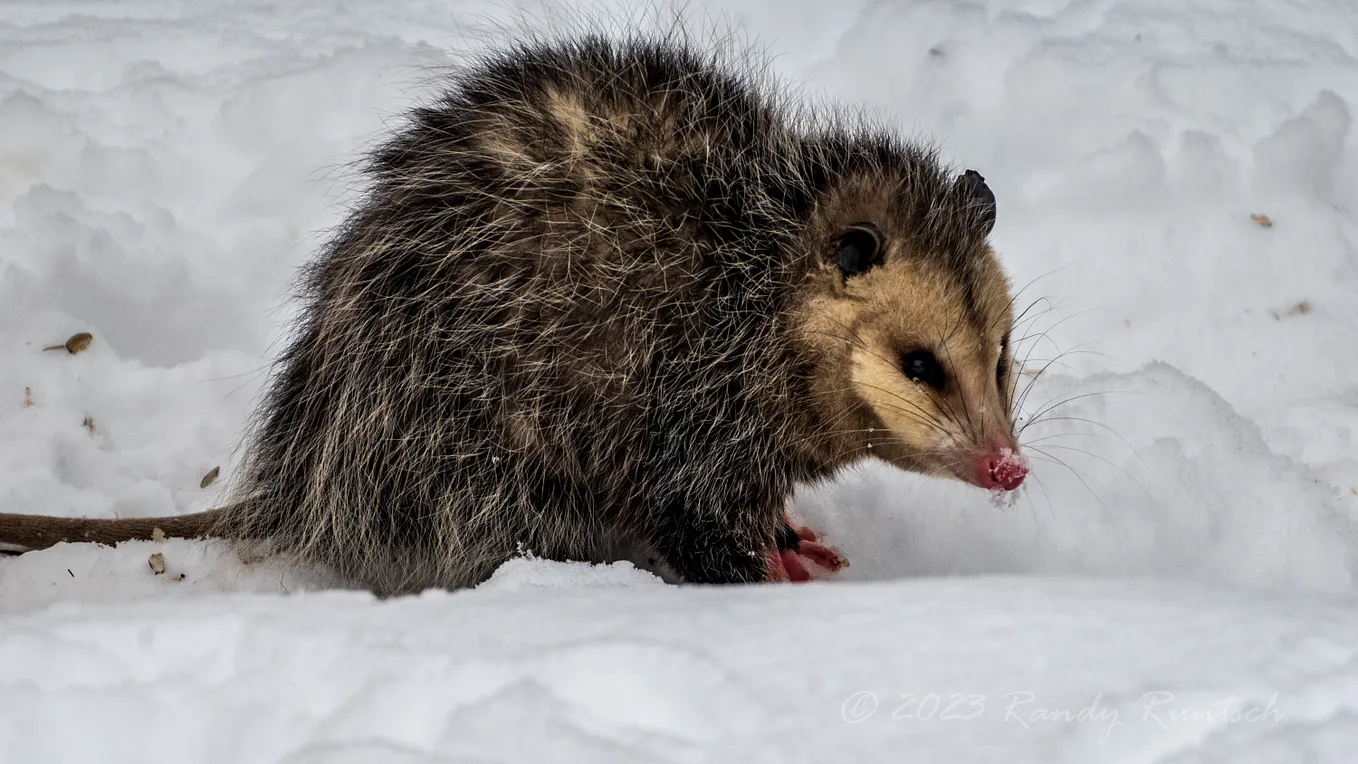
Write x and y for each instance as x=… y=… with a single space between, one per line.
x=41 y=531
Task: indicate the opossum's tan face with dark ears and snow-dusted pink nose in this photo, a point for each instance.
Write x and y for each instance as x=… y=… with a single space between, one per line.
x=911 y=332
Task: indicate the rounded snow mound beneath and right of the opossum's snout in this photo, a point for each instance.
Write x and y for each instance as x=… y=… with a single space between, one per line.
x=1159 y=477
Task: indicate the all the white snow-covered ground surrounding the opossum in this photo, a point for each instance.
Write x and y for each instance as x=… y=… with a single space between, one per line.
x=1177 y=584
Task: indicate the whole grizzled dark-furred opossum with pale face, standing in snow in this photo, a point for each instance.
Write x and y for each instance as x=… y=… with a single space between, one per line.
x=617 y=292
